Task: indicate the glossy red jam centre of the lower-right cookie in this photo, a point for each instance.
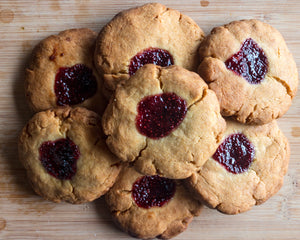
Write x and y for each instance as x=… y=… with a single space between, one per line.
x=236 y=153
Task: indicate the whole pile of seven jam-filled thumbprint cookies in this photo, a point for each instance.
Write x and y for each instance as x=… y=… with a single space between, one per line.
x=159 y=117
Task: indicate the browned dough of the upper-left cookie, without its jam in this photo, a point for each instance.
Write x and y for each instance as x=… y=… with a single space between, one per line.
x=68 y=48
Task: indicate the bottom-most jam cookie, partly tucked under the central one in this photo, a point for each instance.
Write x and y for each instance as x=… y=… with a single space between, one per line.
x=151 y=206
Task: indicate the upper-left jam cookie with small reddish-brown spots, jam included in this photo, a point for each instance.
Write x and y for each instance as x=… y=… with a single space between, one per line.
x=61 y=72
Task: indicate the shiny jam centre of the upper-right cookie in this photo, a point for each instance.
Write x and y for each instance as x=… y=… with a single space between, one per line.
x=250 y=62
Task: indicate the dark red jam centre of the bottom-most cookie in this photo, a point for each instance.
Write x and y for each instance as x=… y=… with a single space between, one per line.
x=151 y=191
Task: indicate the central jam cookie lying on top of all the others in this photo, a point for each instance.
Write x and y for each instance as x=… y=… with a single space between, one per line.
x=164 y=119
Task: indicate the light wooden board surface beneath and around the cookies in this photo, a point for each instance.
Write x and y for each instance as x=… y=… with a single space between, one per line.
x=24 y=215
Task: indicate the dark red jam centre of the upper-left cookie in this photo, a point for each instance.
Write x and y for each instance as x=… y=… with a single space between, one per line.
x=75 y=84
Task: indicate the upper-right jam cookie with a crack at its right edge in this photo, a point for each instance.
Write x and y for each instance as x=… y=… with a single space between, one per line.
x=250 y=68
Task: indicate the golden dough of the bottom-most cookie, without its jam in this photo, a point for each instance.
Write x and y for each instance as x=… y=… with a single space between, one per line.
x=164 y=222
